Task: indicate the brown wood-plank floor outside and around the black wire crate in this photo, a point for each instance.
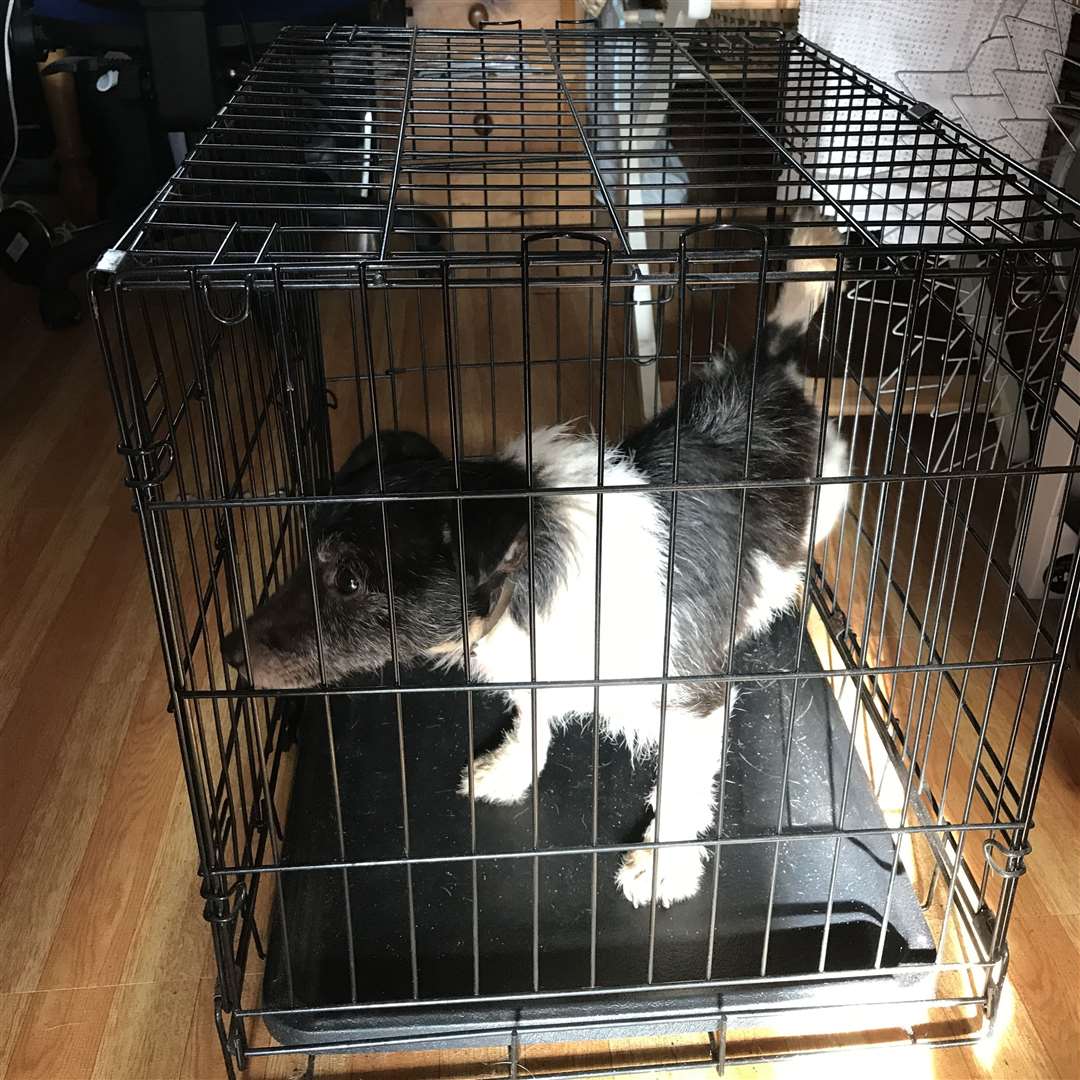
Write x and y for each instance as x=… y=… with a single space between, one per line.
x=105 y=967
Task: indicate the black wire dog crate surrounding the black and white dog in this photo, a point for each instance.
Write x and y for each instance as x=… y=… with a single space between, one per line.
x=474 y=235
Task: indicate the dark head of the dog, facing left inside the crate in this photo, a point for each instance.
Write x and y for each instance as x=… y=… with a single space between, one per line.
x=333 y=618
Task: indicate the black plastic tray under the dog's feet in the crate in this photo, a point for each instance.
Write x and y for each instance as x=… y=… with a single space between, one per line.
x=314 y=969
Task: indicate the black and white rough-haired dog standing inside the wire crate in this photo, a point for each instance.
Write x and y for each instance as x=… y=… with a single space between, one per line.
x=512 y=565
